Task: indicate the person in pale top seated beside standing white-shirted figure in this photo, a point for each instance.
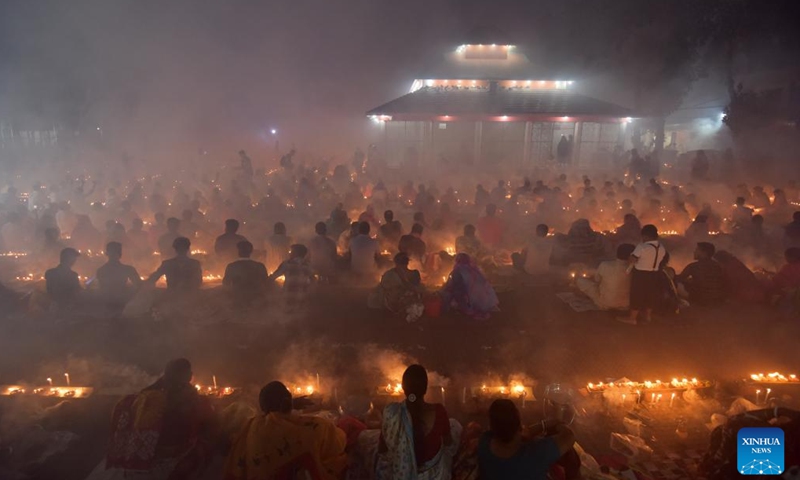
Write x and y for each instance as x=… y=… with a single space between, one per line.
x=610 y=289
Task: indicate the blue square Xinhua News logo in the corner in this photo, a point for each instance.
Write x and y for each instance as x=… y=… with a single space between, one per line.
x=760 y=451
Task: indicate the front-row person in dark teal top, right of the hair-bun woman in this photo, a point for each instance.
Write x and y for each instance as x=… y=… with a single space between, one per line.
x=507 y=452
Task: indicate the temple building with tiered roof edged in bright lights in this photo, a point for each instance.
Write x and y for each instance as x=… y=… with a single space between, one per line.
x=486 y=104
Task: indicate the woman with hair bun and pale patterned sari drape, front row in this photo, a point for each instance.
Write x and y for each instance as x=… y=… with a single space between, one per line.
x=417 y=438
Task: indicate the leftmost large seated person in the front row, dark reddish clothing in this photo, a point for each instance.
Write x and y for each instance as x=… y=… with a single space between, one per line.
x=166 y=431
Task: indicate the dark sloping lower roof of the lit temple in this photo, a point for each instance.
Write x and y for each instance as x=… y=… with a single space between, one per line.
x=440 y=101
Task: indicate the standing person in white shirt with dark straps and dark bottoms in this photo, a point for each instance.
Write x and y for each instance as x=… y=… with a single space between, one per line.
x=647 y=260
